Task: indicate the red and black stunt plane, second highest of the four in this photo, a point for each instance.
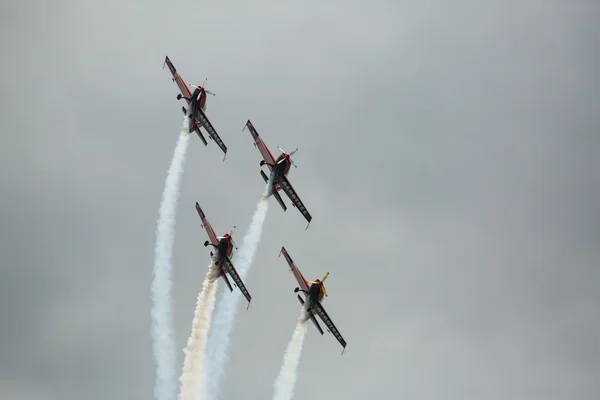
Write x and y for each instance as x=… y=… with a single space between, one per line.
x=280 y=168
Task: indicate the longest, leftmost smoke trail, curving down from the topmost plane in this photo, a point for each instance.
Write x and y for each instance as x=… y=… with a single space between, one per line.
x=164 y=350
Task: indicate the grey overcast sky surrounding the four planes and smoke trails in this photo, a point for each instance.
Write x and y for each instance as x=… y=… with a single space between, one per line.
x=448 y=155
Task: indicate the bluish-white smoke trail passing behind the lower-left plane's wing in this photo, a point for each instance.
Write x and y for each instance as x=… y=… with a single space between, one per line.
x=224 y=319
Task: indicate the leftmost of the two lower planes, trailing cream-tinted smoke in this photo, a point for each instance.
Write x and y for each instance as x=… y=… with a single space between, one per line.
x=222 y=257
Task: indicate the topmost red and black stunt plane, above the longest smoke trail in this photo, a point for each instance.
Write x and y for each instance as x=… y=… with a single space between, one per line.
x=196 y=107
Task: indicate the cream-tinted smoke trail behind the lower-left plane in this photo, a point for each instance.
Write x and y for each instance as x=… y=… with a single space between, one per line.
x=193 y=376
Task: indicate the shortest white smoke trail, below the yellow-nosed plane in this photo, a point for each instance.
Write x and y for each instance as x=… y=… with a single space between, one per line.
x=284 y=385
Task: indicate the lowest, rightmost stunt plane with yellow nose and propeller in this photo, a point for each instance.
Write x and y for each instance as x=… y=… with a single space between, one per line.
x=313 y=298
